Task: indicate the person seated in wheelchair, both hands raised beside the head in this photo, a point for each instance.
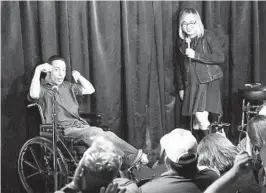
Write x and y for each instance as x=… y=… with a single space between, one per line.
x=53 y=86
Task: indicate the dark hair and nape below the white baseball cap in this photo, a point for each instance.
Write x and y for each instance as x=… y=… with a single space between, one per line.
x=185 y=170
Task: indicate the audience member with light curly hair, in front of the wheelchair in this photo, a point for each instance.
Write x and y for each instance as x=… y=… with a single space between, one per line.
x=98 y=167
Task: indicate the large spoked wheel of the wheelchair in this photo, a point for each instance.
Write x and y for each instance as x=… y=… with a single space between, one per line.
x=35 y=166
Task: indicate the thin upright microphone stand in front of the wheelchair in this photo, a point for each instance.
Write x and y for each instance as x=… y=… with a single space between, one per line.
x=54 y=142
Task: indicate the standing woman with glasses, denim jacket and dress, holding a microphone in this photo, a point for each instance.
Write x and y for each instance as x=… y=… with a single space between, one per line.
x=199 y=73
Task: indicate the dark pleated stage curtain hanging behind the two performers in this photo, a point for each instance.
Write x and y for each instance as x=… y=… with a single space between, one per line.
x=128 y=51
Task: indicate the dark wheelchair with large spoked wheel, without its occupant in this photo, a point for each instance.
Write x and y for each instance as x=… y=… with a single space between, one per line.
x=35 y=163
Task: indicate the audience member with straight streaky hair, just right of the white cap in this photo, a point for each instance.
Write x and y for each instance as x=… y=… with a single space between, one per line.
x=217 y=152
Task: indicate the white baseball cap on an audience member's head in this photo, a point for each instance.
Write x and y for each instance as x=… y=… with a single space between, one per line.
x=179 y=143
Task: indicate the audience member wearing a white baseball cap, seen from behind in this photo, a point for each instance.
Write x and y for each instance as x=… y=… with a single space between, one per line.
x=180 y=148
